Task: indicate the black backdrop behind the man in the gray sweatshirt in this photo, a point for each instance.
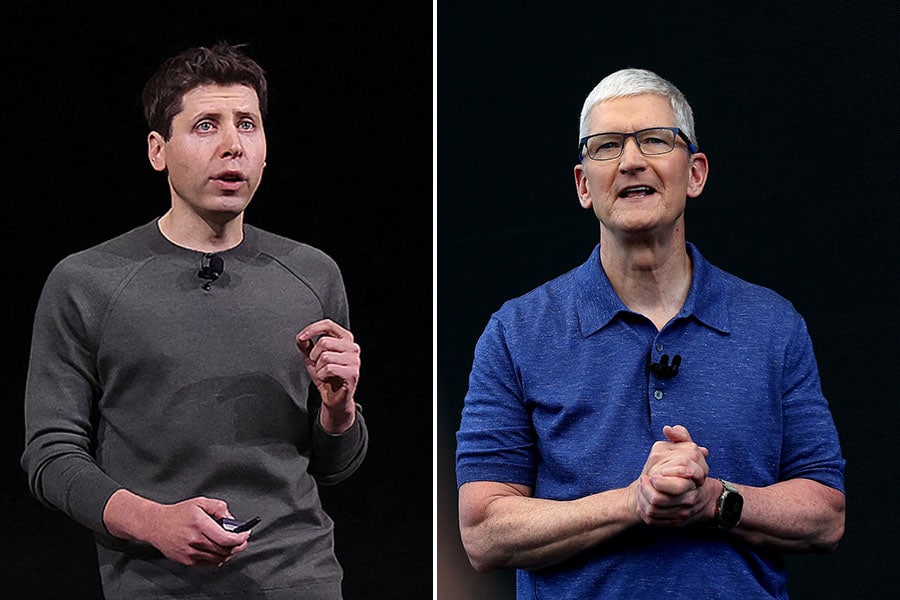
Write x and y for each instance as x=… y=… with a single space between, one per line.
x=349 y=171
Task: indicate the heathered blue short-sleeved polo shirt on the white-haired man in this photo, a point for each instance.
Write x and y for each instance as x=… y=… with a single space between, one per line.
x=561 y=399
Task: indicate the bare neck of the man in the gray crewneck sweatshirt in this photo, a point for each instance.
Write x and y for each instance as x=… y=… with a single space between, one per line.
x=192 y=231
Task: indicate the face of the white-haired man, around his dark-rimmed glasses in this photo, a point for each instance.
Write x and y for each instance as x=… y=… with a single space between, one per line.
x=636 y=194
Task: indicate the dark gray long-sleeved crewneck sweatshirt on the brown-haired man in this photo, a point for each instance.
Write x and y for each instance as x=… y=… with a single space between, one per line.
x=140 y=377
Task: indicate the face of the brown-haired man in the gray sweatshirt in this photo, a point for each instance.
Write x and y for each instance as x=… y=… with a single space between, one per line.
x=215 y=153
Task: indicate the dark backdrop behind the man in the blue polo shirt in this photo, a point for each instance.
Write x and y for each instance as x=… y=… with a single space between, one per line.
x=800 y=199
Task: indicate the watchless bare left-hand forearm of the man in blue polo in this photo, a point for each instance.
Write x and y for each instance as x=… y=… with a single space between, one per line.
x=518 y=531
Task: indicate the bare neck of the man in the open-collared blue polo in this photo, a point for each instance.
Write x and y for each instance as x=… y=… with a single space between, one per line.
x=651 y=277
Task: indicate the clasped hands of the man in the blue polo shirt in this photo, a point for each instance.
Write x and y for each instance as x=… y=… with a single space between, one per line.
x=669 y=491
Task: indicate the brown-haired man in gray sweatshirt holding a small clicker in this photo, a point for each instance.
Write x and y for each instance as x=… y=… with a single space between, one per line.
x=171 y=366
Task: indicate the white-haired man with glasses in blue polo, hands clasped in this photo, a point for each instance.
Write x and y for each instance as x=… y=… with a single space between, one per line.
x=646 y=424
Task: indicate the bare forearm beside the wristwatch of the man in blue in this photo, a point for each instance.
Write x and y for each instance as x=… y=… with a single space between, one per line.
x=799 y=515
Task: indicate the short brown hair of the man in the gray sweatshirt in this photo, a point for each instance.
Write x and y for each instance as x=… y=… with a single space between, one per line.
x=223 y=64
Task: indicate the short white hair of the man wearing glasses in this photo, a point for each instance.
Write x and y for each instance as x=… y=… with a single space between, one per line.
x=633 y=82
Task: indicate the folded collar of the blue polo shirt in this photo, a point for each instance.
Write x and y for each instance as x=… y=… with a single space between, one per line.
x=597 y=303
